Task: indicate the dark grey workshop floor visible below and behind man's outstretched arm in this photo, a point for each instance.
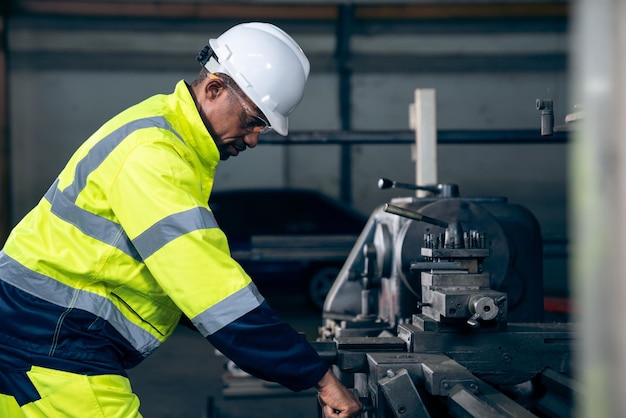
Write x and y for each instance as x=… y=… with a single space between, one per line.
x=184 y=378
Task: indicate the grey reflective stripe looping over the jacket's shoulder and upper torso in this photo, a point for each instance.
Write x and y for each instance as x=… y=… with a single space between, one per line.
x=63 y=201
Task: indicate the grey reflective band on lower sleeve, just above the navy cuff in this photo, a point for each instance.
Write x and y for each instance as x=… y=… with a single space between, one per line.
x=228 y=310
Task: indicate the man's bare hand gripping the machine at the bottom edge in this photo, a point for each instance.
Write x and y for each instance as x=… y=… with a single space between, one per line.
x=336 y=400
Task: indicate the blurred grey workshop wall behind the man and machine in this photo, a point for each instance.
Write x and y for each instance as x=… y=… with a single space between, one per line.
x=69 y=75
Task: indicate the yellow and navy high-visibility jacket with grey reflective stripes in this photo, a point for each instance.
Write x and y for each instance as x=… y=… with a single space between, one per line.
x=96 y=276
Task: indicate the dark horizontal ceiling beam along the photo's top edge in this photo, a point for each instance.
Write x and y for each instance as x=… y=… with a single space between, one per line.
x=297 y=11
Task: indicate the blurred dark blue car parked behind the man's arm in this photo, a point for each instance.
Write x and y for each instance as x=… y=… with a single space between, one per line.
x=298 y=238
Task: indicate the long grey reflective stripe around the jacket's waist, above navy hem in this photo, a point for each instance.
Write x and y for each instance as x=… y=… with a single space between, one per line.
x=61 y=294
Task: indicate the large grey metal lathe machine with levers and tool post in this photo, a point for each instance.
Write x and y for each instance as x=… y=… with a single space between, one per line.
x=438 y=311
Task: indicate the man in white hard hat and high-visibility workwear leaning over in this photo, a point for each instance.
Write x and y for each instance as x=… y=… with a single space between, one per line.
x=97 y=275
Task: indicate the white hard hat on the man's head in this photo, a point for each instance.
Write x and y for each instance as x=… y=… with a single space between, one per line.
x=267 y=65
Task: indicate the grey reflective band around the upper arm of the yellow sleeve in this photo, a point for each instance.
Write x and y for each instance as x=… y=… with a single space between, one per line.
x=172 y=227
